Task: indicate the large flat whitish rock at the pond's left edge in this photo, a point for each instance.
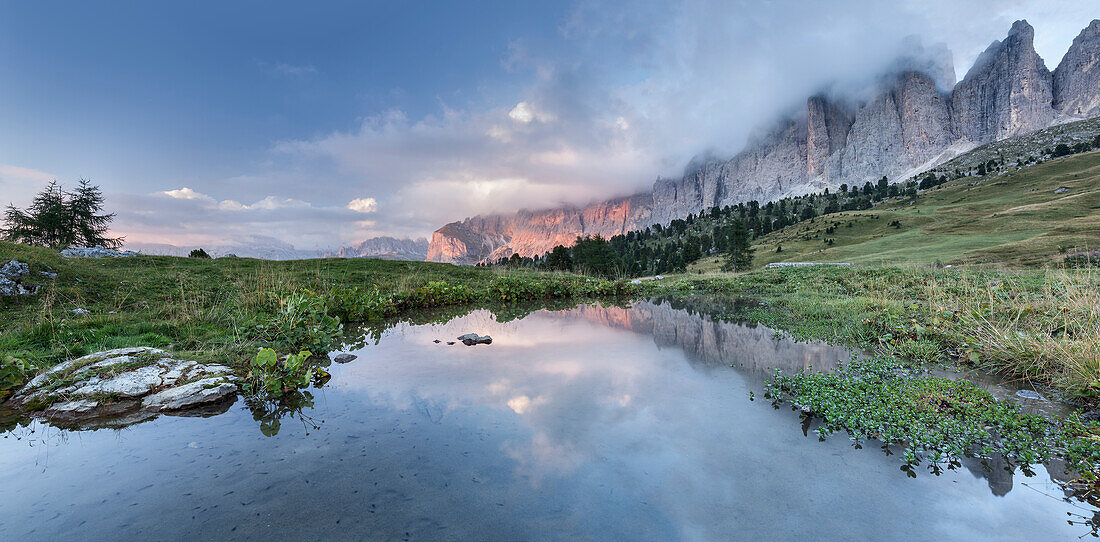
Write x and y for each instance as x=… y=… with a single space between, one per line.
x=134 y=384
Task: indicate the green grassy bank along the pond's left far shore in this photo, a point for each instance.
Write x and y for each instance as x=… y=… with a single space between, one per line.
x=225 y=309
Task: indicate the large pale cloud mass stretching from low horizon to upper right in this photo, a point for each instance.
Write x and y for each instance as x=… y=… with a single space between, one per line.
x=620 y=96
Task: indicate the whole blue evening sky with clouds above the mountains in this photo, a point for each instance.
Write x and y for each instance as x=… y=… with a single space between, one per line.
x=325 y=124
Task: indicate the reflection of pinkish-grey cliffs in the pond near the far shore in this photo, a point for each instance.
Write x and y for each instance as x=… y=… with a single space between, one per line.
x=706 y=334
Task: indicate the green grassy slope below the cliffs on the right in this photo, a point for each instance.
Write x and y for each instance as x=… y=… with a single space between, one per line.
x=1014 y=219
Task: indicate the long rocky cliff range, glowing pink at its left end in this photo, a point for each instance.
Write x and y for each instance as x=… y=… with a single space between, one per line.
x=910 y=121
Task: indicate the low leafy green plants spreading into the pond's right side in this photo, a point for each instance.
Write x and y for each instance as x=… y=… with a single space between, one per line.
x=937 y=422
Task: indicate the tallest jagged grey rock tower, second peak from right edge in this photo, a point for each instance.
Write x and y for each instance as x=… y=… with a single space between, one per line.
x=1008 y=92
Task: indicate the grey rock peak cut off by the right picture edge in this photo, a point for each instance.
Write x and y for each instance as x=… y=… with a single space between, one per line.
x=1077 y=78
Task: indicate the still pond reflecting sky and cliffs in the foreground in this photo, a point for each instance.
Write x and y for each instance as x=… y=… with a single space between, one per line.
x=598 y=423
